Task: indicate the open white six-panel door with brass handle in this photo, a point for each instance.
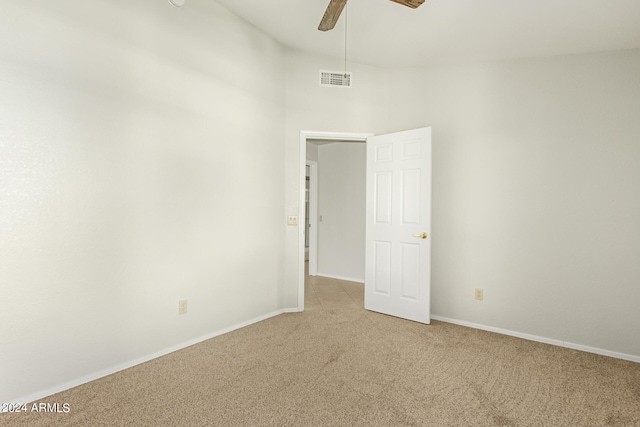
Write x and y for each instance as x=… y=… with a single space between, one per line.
x=398 y=242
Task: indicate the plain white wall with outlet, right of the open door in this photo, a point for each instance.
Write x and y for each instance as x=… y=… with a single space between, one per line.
x=536 y=165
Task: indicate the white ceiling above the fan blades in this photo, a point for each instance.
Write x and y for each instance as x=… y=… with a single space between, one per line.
x=386 y=34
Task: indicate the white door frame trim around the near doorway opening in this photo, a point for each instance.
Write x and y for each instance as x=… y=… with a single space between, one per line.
x=304 y=135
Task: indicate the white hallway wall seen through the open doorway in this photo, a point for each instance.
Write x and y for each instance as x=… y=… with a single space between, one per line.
x=342 y=205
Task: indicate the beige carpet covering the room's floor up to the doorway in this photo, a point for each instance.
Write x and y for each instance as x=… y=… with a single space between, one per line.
x=349 y=367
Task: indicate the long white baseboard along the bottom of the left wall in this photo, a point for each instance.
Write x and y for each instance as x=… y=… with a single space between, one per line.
x=112 y=370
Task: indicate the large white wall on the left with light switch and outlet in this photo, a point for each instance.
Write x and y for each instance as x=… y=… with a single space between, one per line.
x=137 y=141
